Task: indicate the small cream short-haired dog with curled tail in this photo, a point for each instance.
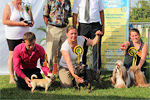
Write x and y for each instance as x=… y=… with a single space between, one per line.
x=45 y=83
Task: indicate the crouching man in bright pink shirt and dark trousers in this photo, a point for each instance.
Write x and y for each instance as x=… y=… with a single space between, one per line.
x=25 y=60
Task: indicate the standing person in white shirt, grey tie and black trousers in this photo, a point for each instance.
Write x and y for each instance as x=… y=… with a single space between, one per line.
x=90 y=15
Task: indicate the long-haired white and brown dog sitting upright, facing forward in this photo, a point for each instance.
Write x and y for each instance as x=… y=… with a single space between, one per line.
x=120 y=77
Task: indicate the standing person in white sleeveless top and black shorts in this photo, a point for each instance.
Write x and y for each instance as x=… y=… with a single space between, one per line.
x=15 y=27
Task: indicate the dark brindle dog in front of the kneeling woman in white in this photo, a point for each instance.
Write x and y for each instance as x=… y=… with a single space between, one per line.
x=89 y=75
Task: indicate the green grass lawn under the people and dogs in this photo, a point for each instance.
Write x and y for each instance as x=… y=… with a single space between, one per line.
x=106 y=91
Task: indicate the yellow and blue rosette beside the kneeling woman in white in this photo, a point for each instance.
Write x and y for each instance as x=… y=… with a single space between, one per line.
x=78 y=50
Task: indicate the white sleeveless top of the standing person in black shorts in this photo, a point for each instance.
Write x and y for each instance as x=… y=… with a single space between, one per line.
x=15 y=32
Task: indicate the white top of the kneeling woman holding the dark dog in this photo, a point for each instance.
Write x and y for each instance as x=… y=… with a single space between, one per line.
x=65 y=46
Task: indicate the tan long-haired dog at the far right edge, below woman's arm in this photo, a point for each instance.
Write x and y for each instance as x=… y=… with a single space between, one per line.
x=138 y=77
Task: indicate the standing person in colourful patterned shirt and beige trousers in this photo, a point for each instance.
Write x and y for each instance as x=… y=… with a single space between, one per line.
x=56 y=13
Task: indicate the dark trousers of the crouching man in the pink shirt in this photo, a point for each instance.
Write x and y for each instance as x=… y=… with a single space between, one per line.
x=28 y=72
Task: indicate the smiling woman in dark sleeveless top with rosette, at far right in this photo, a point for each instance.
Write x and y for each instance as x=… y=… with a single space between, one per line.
x=135 y=50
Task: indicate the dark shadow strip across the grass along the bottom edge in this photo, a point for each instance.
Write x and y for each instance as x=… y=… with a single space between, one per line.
x=15 y=93
